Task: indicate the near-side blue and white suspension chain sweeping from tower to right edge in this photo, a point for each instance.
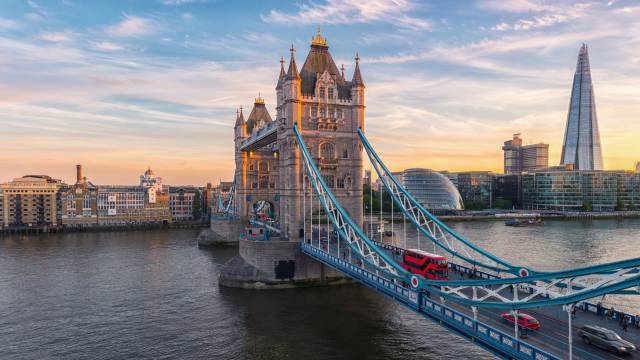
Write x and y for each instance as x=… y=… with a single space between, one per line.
x=367 y=250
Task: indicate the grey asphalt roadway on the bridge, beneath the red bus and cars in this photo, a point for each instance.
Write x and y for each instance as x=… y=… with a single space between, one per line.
x=553 y=333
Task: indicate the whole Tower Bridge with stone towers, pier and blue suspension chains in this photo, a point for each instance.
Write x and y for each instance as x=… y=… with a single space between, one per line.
x=307 y=165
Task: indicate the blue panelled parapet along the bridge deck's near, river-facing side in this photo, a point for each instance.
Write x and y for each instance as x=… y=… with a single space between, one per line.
x=489 y=337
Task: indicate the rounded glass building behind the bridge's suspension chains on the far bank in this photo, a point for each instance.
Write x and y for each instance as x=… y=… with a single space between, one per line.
x=432 y=189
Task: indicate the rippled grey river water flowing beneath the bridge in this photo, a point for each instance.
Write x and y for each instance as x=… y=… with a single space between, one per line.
x=154 y=295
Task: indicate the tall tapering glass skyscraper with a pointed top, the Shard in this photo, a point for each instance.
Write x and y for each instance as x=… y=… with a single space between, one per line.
x=581 y=145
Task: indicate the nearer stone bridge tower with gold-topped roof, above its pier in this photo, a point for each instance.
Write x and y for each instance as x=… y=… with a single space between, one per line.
x=328 y=109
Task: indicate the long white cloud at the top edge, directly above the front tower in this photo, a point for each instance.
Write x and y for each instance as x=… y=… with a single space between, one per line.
x=393 y=12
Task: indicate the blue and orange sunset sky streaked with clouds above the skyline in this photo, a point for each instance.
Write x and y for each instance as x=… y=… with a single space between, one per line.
x=120 y=86
